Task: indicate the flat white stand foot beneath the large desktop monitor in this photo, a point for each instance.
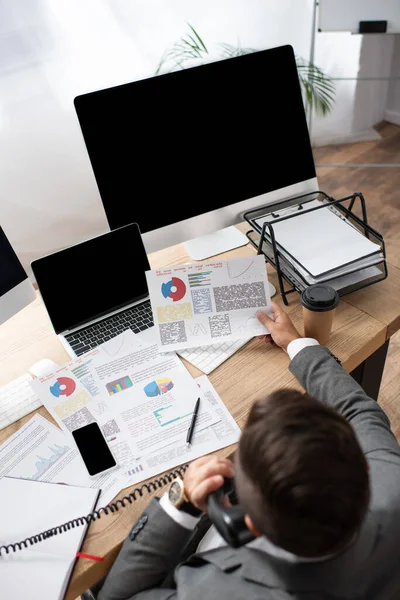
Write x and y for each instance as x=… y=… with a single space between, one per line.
x=215 y=243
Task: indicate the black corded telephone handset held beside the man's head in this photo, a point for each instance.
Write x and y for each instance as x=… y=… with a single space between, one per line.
x=228 y=520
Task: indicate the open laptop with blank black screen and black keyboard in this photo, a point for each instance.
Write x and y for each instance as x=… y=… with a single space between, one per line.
x=96 y=289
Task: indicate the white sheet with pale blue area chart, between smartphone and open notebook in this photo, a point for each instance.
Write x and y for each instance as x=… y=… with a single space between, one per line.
x=40 y=451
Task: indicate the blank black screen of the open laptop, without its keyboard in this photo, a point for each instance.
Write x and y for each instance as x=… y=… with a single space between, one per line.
x=93 y=278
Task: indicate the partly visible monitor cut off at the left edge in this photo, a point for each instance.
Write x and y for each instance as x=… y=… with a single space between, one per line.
x=16 y=290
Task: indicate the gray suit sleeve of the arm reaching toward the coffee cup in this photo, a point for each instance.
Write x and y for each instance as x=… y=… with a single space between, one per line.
x=325 y=379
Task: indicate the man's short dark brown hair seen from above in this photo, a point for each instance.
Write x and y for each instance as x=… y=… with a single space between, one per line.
x=302 y=476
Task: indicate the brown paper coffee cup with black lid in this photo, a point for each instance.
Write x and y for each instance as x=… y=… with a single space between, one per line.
x=319 y=302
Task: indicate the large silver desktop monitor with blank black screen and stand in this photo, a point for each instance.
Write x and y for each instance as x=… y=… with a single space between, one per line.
x=185 y=154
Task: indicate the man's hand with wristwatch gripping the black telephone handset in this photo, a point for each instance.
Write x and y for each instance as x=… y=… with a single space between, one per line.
x=205 y=475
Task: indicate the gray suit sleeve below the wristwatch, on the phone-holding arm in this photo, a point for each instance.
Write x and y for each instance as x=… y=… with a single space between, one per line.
x=148 y=555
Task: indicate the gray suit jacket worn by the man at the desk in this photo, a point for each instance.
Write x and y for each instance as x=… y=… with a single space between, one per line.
x=150 y=567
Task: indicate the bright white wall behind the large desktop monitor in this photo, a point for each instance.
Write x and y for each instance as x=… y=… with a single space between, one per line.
x=53 y=50
